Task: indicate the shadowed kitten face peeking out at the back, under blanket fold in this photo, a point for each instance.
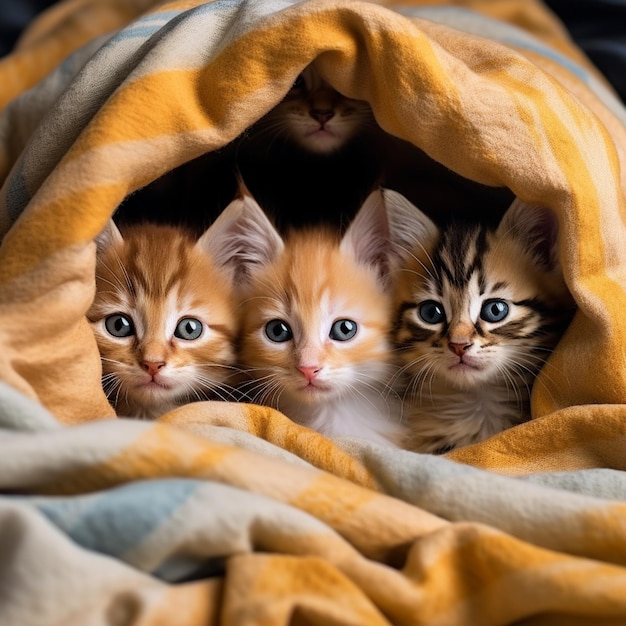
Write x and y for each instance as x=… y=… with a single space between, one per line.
x=316 y=117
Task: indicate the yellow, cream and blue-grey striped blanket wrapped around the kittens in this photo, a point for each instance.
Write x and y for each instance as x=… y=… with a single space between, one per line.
x=227 y=513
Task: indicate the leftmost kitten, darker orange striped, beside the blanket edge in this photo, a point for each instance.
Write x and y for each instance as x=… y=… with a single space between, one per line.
x=163 y=317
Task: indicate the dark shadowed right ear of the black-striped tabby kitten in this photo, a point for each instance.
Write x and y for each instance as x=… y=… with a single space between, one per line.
x=536 y=227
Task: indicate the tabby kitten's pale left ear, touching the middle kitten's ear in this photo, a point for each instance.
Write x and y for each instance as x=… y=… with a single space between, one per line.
x=409 y=228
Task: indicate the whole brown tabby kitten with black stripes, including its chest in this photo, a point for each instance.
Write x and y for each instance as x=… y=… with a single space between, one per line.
x=478 y=312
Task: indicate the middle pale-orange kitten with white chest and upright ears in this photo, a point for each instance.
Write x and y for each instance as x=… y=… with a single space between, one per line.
x=315 y=319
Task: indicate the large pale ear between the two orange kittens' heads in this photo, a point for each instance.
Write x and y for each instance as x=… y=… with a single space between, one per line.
x=242 y=239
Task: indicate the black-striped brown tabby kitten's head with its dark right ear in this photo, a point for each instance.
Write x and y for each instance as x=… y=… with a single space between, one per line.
x=479 y=307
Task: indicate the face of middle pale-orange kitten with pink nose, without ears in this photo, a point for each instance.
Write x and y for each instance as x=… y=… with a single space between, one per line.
x=314 y=323
